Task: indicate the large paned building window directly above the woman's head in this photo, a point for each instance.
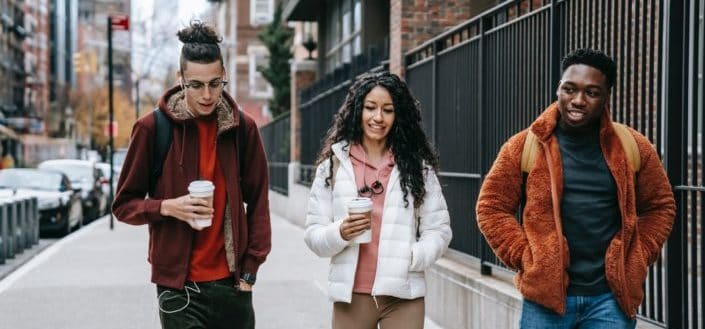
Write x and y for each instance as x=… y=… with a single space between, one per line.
x=343 y=28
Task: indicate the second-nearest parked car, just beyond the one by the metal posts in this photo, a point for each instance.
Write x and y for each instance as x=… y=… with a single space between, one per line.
x=83 y=174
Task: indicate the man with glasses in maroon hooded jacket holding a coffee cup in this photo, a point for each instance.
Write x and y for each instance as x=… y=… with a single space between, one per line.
x=204 y=276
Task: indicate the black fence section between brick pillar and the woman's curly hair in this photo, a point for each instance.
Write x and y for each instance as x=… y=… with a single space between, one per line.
x=321 y=101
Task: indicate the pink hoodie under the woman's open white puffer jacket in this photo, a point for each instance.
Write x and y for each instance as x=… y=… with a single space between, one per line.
x=367 y=173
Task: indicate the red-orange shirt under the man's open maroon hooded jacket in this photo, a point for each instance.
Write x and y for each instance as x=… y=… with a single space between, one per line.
x=208 y=260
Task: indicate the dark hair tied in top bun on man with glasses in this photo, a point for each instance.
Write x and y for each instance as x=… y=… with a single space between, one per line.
x=200 y=44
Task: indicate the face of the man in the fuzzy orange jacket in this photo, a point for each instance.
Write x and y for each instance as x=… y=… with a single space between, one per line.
x=582 y=96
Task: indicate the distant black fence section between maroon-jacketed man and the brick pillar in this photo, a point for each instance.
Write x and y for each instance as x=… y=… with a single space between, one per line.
x=277 y=141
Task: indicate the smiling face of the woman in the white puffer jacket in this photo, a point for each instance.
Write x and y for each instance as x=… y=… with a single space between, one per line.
x=377 y=116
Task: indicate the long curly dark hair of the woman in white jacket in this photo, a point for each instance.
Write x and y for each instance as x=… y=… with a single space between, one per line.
x=406 y=138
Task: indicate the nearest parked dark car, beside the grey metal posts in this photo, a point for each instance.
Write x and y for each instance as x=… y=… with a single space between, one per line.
x=59 y=204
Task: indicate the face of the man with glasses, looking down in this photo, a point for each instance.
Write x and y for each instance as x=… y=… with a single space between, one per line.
x=203 y=86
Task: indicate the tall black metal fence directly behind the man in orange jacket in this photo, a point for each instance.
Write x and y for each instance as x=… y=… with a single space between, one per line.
x=489 y=78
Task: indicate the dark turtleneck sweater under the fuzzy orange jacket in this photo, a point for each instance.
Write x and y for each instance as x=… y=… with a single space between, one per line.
x=589 y=210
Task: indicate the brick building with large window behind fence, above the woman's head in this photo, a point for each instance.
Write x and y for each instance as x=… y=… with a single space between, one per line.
x=353 y=36
